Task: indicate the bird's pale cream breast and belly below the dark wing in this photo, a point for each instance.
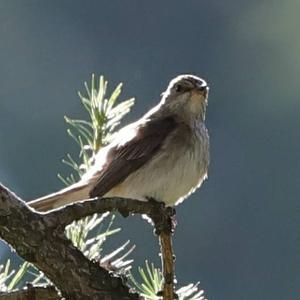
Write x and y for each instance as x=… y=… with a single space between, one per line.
x=177 y=169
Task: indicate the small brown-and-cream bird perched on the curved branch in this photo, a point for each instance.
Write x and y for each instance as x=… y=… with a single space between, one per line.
x=163 y=156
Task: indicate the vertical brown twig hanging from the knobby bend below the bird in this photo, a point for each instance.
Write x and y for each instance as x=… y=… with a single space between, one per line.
x=163 y=218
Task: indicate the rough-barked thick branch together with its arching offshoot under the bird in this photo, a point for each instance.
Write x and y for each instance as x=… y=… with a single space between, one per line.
x=39 y=238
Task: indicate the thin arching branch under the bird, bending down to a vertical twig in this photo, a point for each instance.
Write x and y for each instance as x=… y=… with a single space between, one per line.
x=161 y=216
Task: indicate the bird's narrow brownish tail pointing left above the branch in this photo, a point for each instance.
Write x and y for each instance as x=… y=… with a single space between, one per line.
x=76 y=192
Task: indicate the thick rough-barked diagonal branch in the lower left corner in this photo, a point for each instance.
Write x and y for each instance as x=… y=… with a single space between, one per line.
x=35 y=240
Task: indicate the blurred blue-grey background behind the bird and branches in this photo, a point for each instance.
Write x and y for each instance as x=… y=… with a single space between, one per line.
x=239 y=234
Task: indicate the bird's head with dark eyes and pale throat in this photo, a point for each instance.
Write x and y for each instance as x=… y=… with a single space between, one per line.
x=186 y=96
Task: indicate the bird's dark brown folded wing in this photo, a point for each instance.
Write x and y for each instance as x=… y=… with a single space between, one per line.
x=128 y=157
